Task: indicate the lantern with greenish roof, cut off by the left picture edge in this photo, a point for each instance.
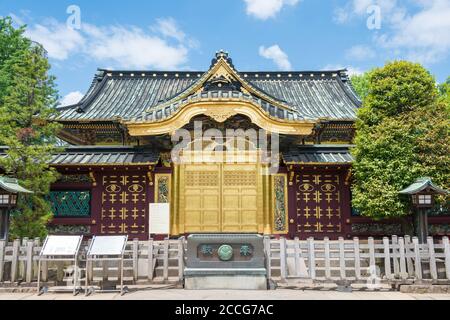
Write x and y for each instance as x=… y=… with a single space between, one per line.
x=9 y=191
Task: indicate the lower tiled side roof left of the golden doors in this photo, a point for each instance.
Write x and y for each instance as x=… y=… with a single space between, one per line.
x=101 y=155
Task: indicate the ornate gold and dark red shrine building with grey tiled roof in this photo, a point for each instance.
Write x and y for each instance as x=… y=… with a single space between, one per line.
x=120 y=158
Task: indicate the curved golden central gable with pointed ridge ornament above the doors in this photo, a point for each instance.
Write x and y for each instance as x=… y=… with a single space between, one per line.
x=220 y=94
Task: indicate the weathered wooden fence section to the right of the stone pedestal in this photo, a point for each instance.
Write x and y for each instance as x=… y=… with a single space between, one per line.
x=395 y=260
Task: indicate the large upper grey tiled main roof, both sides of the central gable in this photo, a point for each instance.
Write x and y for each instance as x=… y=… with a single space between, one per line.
x=130 y=94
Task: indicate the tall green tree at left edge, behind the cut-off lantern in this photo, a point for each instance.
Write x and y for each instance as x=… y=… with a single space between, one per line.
x=28 y=97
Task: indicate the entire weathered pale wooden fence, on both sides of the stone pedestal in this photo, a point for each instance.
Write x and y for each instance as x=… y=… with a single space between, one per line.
x=395 y=260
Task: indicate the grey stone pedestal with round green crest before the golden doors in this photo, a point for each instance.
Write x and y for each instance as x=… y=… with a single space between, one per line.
x=225 y=261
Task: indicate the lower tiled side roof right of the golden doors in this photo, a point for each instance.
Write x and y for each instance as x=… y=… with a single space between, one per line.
x=317 y=154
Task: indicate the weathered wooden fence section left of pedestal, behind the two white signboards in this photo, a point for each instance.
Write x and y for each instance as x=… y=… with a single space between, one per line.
x=144 y=261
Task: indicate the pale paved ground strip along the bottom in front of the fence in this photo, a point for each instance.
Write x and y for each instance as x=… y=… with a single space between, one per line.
x=279 y=294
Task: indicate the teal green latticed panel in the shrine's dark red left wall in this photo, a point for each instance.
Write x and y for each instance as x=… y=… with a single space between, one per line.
x=70 y=203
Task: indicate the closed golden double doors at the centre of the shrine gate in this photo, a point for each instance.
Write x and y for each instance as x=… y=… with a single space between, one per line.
x=221 y=198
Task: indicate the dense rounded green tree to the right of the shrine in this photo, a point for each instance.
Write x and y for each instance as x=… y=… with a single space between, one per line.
x=402 y=134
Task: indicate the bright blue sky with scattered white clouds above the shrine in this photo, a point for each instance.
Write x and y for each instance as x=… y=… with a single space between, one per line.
x=258 y=34
